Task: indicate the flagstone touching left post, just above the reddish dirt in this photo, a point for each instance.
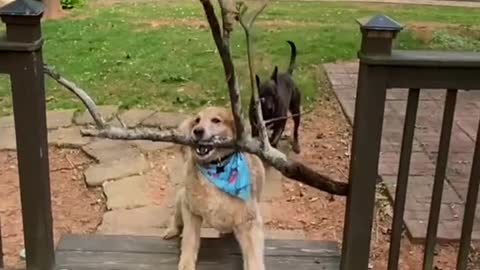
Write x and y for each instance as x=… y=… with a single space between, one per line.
x=67 y=137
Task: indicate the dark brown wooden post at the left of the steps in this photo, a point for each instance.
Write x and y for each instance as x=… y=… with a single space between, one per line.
x=22 y=59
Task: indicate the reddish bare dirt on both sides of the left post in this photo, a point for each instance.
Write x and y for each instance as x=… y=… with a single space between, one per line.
x=76 y=209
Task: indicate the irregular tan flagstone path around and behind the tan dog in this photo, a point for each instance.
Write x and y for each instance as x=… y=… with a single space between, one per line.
x=122 y=167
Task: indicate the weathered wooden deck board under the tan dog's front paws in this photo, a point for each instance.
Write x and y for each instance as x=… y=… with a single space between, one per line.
x=115 y=252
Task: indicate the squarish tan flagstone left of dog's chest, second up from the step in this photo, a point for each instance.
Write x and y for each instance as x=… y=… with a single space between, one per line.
x=127 y=193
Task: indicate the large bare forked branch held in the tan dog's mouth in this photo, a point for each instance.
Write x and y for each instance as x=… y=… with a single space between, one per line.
x=289 y=168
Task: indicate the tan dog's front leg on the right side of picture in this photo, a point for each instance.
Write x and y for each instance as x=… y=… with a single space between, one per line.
x=251 y=240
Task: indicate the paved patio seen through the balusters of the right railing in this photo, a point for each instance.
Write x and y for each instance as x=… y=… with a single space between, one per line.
x=343 y=77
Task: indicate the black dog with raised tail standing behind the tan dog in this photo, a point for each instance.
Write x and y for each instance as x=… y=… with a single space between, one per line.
x=279 y=95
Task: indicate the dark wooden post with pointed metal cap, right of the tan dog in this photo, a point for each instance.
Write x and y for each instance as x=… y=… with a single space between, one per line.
x=377 y=36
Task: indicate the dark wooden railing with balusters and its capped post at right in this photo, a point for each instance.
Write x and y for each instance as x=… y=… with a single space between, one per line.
x=382 y=68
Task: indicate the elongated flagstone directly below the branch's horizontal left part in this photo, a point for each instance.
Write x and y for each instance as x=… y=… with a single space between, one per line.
x=105 y=150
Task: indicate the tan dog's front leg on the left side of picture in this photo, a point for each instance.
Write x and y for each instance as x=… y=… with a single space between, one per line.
x=190 y=240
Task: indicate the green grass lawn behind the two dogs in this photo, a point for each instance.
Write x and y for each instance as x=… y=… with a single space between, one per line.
x=162 y=55
